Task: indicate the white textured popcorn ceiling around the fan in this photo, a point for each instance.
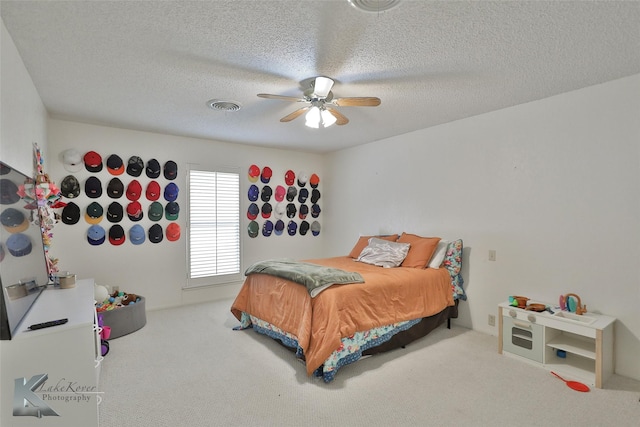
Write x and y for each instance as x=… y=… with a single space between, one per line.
x=153 y=65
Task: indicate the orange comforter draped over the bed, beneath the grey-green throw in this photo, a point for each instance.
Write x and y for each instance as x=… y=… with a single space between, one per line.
x=389 y=295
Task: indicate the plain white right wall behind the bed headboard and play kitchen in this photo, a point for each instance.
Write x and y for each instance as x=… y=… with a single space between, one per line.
x=553 y=186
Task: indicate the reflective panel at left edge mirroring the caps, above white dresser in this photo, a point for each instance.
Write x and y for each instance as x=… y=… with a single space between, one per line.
x=23 y=267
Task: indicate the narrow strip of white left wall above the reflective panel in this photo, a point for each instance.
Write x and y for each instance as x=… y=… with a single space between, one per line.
x=23 y=117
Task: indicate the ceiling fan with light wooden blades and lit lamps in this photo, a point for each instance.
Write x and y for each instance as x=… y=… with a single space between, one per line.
x=321 y=110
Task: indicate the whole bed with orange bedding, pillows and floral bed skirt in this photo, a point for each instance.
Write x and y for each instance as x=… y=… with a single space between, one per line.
x=374 y=307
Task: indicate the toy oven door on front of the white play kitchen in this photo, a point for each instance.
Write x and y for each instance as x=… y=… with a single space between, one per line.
x=523 y=338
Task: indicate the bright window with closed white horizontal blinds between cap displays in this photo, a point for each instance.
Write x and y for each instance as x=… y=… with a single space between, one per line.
x=214 y=227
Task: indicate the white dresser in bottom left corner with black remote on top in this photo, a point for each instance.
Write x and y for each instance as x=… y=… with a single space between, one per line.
x=49 y=377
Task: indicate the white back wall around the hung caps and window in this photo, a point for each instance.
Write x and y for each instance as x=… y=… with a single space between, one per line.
x=159 y=271
